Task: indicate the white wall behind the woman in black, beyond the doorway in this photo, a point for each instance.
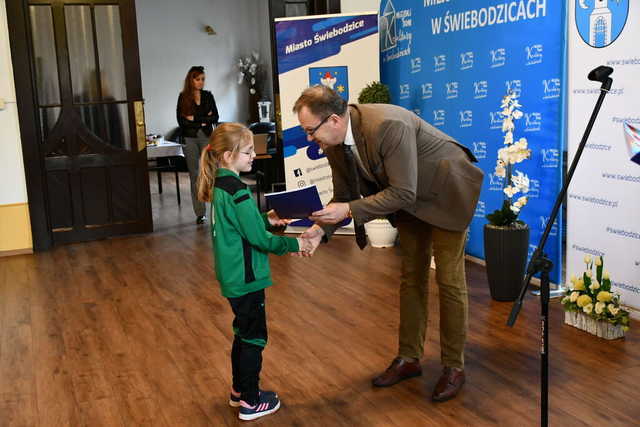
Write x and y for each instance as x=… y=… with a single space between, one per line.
x=172 y=38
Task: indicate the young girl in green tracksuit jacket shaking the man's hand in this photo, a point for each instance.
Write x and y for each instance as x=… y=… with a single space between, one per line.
x=241 y=245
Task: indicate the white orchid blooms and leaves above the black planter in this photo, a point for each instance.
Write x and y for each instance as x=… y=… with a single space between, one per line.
x=512 y=153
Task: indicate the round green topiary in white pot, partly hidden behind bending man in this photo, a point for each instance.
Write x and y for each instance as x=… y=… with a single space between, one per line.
x=380 y=232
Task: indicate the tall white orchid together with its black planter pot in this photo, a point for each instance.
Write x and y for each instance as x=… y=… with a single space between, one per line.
x=506 y=238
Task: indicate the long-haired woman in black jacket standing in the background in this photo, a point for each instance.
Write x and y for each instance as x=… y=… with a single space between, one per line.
x=197 y=114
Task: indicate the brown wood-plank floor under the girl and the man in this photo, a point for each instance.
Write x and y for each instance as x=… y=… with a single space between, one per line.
x=133 y=331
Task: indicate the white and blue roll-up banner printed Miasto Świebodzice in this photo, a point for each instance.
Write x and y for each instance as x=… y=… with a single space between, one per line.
x=338 y=51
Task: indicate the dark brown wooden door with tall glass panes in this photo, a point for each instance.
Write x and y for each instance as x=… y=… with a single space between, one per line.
x=78 y=86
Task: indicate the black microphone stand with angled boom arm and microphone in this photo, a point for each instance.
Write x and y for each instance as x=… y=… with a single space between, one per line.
x=539 y=262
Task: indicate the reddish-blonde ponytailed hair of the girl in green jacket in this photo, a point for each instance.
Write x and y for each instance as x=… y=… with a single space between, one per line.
x=226 y=137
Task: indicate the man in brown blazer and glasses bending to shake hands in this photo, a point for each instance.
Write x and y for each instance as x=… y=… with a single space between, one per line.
x=386 y=161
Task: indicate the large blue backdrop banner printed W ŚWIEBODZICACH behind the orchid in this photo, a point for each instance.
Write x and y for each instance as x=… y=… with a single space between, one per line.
x=452 y=62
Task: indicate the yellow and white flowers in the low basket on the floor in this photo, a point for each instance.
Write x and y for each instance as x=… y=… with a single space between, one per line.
x=592 y=295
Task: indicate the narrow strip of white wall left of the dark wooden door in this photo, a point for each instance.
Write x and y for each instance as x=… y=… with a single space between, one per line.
x=13 y=187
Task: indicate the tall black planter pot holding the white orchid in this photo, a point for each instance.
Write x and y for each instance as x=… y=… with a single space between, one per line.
x=505 y=252
